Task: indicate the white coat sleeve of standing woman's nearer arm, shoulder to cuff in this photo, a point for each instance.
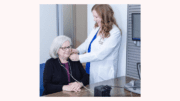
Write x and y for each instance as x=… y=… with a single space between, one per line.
x=107 y=48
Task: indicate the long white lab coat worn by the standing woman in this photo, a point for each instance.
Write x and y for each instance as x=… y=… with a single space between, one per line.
x=103 y=58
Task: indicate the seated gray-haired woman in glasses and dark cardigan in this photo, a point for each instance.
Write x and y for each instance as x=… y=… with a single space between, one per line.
x=60 y=72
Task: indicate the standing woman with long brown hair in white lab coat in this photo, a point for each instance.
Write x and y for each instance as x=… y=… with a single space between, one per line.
x=104 y=43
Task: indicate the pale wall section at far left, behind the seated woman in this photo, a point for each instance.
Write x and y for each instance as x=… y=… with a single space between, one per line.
x=47 y=30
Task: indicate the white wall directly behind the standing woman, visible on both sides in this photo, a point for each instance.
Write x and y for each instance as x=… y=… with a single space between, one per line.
x=120 y=13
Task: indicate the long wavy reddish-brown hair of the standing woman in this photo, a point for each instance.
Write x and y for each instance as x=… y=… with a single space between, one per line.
x=107 y=15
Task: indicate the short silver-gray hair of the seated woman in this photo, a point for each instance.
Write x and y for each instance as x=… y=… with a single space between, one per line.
x=56 y=44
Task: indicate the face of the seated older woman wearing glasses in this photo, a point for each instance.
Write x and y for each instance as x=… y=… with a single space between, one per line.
x=65 y=50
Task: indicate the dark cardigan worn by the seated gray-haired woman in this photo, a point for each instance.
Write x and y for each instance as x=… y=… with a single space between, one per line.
x=55 y=76
